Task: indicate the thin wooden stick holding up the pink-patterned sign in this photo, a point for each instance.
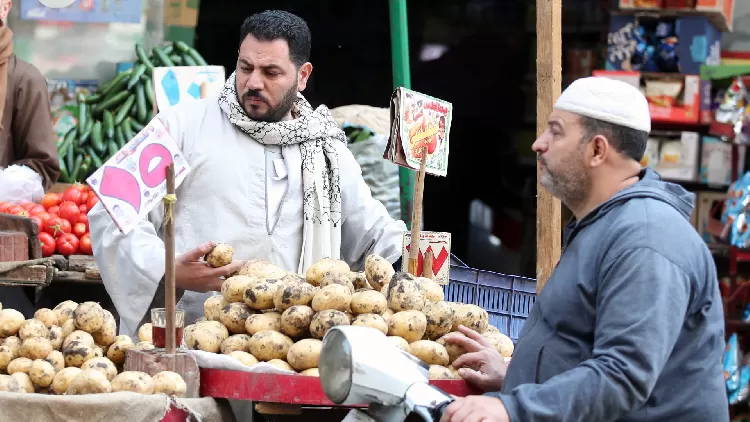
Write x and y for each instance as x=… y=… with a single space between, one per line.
x=169 y=281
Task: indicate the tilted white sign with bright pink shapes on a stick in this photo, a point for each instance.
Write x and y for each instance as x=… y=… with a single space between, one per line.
x=133 y=181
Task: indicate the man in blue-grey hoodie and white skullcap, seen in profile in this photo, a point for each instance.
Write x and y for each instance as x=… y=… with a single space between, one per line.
x=629 y=327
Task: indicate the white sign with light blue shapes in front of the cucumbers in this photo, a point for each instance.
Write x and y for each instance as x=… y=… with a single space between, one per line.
x=173 y=85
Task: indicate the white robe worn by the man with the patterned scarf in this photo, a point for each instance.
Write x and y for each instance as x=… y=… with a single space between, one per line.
x=224 y=199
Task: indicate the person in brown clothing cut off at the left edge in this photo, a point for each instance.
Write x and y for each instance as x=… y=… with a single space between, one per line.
x=26 y=134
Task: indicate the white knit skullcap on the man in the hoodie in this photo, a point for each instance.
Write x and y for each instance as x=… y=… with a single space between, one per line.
x=608 y=100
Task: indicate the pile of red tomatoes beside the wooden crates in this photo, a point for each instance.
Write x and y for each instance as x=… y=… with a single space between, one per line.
x=62 y=219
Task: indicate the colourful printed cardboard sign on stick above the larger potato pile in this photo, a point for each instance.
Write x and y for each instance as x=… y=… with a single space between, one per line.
x=418 y=120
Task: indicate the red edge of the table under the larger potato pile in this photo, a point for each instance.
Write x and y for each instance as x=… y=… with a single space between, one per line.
x=288 y=389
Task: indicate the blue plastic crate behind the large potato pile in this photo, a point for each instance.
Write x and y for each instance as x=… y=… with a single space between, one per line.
x=506 y=298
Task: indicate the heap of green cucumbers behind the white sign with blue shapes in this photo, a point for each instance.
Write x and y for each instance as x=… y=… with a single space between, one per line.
x=117 y=111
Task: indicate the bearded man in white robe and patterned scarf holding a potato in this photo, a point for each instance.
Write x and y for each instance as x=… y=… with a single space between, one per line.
x=271 y=176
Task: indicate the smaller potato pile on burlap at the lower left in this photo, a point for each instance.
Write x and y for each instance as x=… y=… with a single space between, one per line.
x=73 y=349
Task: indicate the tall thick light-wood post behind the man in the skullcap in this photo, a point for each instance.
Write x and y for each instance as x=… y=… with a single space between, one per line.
x=548 y=79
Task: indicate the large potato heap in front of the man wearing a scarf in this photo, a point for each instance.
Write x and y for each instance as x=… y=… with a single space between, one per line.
x=266 y=314
